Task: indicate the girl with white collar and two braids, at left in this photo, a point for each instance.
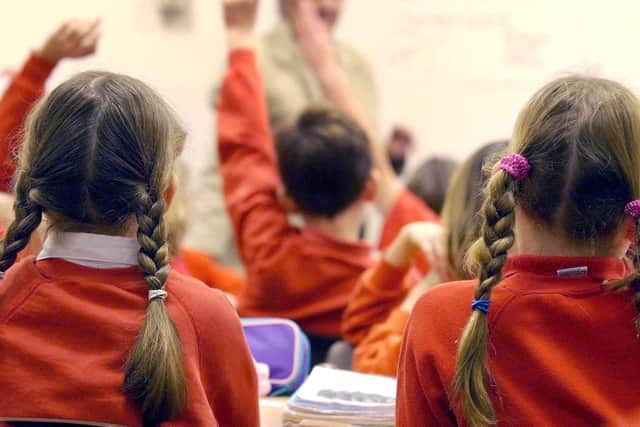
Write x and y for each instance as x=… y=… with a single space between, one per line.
x=97 y=327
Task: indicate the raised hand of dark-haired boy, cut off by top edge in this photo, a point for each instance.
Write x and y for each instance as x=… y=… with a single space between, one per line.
x=239 y=18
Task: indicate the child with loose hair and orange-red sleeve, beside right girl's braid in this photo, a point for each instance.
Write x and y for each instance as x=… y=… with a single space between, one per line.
x=377 y=314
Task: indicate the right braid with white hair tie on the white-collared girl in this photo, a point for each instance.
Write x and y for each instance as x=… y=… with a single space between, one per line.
x=154 y=374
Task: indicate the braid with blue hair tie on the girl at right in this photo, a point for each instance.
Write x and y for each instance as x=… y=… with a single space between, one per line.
x=497 y=238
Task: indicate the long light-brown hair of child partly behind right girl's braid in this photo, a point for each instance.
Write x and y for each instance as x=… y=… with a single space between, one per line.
x=460 y=213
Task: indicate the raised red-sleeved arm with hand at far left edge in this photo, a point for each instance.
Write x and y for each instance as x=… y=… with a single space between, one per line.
x=73 y=39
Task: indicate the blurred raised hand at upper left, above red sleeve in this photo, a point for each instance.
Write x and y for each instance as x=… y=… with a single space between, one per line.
x=73 y=39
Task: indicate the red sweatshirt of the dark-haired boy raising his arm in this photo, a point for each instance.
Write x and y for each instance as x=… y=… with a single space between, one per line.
x=307 y=275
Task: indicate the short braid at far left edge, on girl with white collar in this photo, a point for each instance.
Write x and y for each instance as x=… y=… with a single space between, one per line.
x=27 y=218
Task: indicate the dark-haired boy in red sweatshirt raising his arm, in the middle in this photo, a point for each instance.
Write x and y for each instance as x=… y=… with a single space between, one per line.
x=325 y=161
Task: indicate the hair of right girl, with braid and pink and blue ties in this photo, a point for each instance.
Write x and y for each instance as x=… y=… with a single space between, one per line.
x=581 y=138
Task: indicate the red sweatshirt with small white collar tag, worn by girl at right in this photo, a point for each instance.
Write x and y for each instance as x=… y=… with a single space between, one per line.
x=563 y=349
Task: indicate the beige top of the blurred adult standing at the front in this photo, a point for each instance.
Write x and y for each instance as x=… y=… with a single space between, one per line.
x=290 y=88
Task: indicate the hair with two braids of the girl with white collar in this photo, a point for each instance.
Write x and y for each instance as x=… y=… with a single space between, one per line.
x=97 y=156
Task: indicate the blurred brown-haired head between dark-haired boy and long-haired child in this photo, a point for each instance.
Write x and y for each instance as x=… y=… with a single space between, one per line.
x=430 y=181
